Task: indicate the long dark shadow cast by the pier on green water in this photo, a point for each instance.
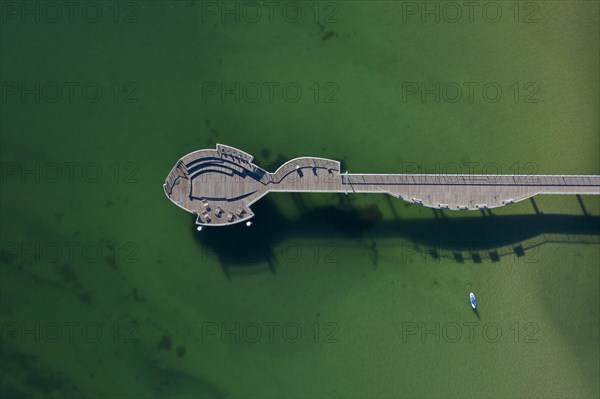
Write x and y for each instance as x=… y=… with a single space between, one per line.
x=243 y=249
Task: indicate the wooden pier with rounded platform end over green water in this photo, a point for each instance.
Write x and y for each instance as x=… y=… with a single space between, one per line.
x=220 y=185
